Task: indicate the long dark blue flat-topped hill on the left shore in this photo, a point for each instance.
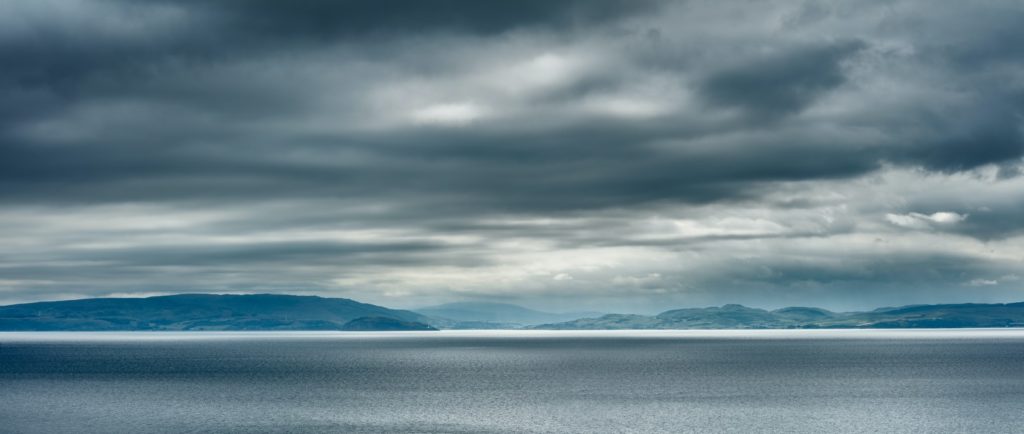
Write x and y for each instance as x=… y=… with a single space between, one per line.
x=208 y=313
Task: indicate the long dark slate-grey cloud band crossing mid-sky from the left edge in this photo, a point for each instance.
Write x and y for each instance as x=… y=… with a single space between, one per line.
x=575 y=168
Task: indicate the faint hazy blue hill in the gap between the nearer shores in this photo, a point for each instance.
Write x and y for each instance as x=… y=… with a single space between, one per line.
x=496 y=314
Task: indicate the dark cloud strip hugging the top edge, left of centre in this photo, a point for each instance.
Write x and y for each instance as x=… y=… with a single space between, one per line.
x=323 y=19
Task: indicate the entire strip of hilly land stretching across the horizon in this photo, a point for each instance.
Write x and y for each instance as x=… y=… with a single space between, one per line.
x=284 y=313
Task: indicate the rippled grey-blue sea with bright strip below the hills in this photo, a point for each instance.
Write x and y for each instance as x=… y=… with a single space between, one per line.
x=845 y=381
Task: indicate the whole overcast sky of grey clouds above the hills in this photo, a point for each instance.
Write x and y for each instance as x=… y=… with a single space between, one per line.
x=603 y=155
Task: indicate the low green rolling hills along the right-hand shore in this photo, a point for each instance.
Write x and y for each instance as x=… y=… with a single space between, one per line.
x=737 y=317
